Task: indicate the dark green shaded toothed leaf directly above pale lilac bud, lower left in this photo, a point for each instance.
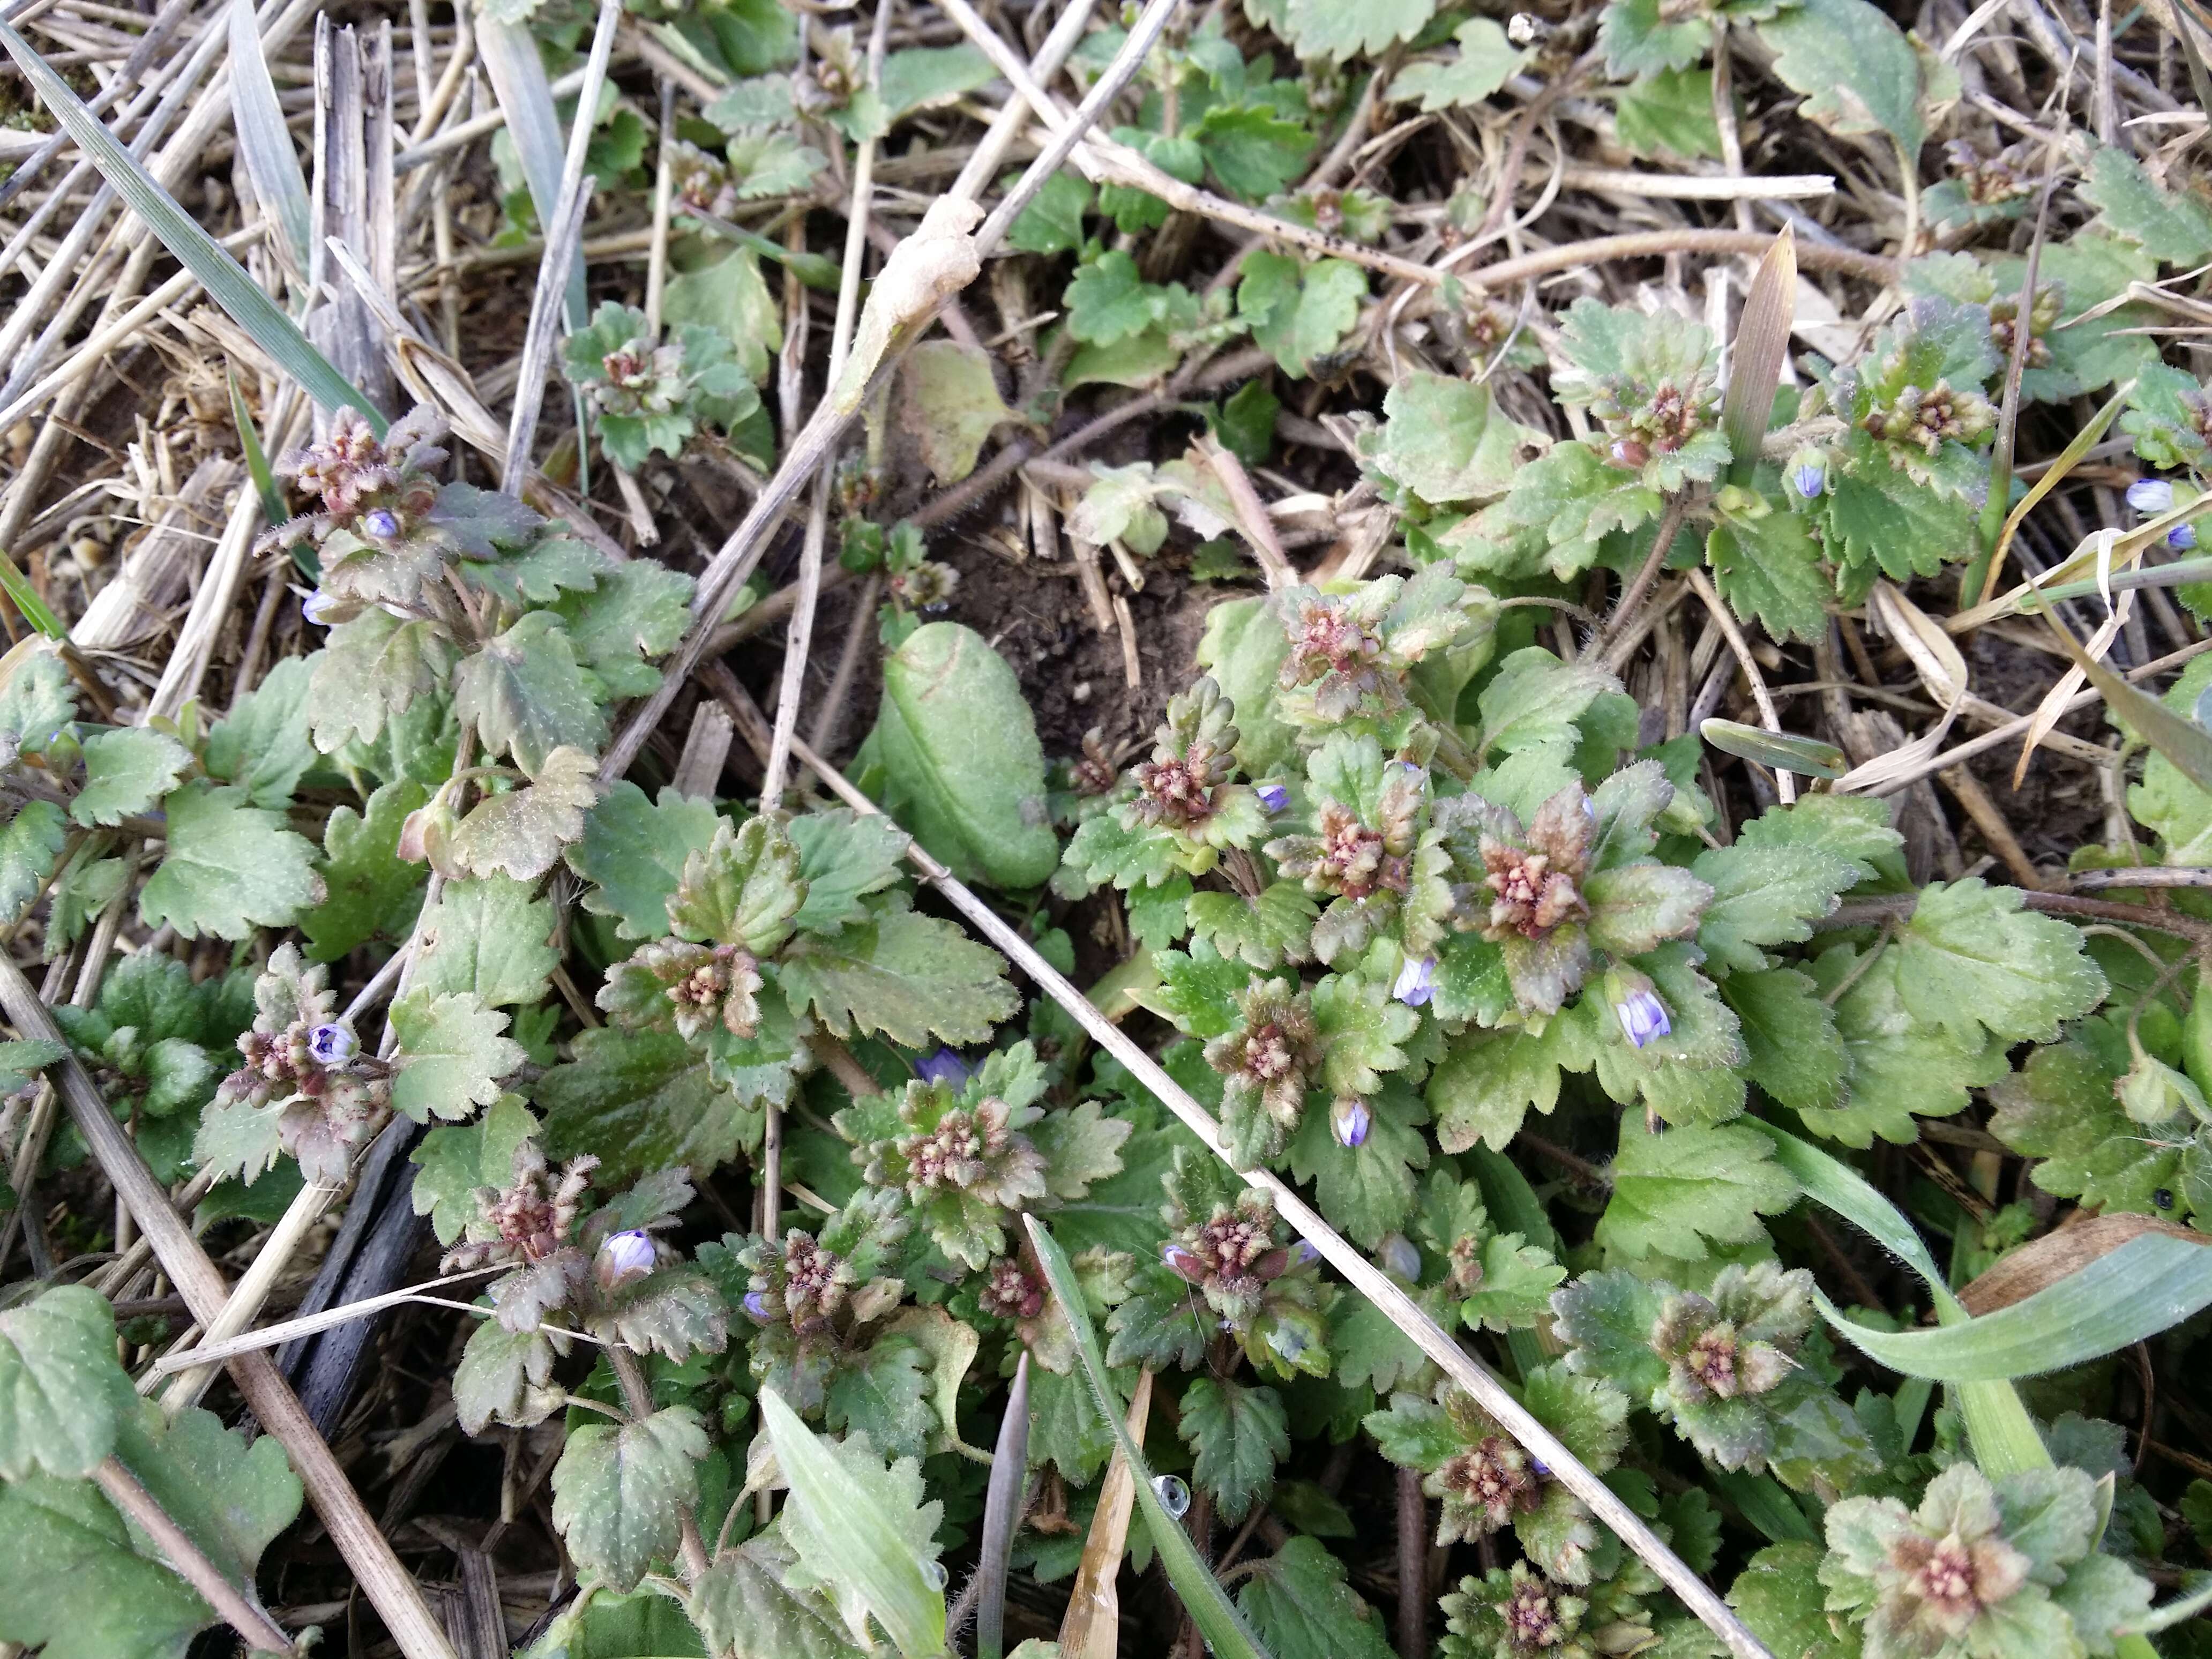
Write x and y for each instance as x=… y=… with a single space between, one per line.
x=640 y=1103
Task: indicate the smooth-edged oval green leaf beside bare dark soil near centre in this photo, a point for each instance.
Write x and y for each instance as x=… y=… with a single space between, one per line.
x=961 y=758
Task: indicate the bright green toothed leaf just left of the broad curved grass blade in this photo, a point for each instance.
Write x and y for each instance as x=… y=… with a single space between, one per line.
x=1691 y=1191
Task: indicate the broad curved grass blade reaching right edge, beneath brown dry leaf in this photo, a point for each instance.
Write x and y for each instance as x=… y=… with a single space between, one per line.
x=2138 y=1291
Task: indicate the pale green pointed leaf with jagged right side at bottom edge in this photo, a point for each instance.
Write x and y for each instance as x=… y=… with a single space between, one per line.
x=853 y=1525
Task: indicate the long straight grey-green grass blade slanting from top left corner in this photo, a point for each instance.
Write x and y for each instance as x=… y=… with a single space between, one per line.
x=222 y=275
